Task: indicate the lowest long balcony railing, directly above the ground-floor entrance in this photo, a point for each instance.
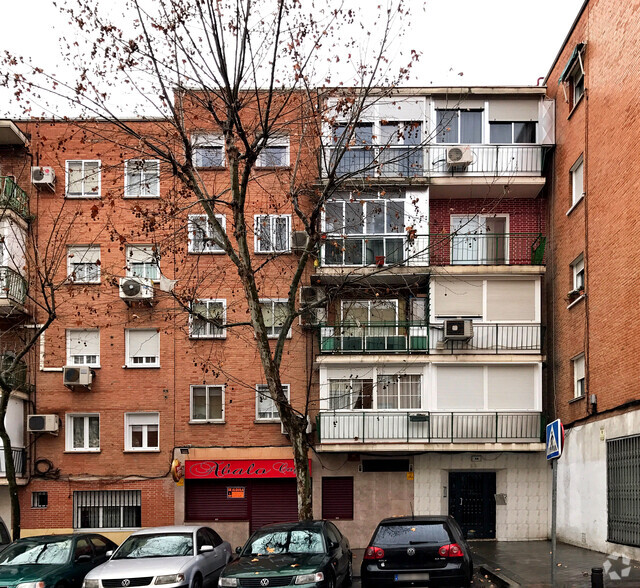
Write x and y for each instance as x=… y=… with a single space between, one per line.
x=372 y=426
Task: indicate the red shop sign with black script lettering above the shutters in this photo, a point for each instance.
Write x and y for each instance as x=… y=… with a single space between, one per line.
x=240 y=468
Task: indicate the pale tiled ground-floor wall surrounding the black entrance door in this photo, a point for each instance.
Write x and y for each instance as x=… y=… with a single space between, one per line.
x=524 y=477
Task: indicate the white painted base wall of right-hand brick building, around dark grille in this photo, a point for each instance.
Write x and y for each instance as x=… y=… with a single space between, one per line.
x=582 y=483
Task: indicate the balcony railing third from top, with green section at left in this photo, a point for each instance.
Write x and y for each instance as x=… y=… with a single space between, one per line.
x=408 y=337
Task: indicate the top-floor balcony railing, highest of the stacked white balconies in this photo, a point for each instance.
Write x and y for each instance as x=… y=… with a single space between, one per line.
x=431 y=161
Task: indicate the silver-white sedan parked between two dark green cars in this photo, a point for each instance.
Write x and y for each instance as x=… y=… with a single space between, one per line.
x=179 y=556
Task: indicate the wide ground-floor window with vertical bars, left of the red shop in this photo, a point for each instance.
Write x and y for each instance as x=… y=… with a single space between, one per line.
x=106 y=509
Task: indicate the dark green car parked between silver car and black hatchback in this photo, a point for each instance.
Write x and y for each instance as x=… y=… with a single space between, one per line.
x=309 y=553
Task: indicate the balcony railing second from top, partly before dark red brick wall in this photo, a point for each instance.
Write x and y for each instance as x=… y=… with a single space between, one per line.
x=434 y=249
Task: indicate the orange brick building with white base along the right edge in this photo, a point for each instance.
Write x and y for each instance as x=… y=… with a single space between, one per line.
x=594 y=80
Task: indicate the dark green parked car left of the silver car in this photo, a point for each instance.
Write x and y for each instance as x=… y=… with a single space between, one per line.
x=52 y=560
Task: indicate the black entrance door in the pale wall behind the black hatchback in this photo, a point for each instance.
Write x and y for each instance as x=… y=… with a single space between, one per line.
x=472 y=503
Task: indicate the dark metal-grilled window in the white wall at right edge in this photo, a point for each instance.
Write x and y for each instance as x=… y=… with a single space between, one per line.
x=623 y=491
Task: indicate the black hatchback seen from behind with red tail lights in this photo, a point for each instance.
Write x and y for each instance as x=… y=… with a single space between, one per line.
x=417 y=551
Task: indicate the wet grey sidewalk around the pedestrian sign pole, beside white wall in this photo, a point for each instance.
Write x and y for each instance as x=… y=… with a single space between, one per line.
x=528 y=563
